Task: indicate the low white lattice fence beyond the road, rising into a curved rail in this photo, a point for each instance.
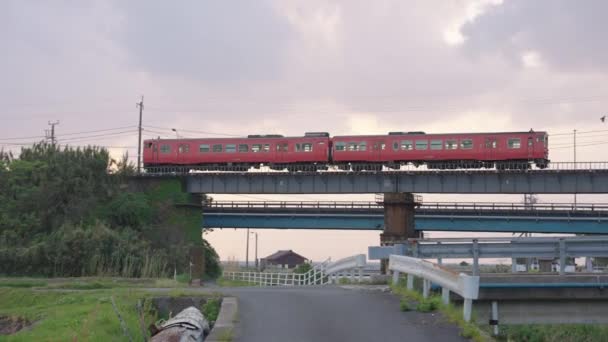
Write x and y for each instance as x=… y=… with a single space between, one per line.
x=321 y=274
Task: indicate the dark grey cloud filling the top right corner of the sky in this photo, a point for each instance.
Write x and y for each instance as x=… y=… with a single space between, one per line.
x=569 y=35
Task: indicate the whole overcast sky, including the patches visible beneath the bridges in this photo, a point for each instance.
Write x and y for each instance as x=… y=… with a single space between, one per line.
x=239 y=67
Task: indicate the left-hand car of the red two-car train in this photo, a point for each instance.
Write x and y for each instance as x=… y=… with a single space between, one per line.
x=307 y=153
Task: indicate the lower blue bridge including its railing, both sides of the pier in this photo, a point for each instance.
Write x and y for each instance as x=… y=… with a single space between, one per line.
x=437 y=216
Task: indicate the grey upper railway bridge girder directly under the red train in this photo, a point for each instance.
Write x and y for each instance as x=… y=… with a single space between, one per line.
x=558 y=178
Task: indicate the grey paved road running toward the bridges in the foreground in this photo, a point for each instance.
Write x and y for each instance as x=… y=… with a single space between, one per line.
x=332 y=314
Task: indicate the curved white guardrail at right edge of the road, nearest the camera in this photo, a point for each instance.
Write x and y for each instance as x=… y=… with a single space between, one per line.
x=462 y=284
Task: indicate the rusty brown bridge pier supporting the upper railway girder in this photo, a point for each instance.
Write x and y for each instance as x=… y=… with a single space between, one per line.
x=399 y=210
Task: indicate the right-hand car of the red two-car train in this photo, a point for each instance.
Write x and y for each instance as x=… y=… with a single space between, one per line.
x=504 y=150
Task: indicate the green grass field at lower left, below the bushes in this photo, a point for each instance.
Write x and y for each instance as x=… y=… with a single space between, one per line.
x=81 y=309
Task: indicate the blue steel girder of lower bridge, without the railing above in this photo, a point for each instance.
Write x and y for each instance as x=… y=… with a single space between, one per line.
x=535 y=224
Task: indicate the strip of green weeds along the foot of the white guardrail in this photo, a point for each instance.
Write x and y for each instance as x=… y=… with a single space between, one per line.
x=433 y=303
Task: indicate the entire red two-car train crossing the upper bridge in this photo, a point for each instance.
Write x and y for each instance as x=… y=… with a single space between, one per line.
x=318 y=151
